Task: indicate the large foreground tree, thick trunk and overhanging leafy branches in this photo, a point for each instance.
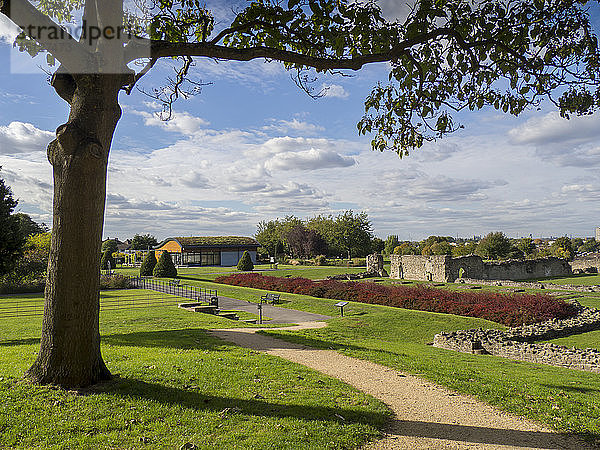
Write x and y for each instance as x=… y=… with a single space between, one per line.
x=445 y=56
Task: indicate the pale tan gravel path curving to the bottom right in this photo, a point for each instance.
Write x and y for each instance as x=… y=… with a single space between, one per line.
x=427 y=416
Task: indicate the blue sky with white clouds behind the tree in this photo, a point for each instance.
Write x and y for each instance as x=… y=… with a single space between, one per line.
x=252 y=146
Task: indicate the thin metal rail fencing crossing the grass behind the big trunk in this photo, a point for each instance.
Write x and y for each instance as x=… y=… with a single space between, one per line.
x=159 y=293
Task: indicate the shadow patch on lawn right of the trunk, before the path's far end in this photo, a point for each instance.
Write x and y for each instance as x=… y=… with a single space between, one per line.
x=187 y=338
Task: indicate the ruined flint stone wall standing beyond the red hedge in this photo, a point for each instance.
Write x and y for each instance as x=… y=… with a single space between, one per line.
x=447 y=269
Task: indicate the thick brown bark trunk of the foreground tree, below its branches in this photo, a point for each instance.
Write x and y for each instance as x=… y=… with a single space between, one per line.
x=70 y=346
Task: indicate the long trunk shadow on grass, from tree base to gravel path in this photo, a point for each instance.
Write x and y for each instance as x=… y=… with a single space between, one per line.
x=133 y=388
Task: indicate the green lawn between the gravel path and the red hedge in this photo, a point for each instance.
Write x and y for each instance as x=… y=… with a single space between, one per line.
x=568 y=400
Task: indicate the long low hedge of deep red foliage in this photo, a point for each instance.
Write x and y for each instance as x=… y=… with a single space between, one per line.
x=510 y=310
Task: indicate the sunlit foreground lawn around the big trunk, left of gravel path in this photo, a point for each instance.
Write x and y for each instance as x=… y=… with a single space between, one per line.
x=174 y=384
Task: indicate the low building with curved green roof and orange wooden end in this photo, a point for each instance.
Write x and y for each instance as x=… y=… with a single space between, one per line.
x=208 y=250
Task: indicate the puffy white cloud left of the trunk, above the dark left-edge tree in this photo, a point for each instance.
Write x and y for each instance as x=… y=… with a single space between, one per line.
x=21 y=137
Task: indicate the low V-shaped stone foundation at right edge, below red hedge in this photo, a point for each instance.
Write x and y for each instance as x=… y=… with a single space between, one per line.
x=517 y=343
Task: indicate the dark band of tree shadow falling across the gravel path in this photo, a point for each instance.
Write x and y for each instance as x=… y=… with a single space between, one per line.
x=486 y=435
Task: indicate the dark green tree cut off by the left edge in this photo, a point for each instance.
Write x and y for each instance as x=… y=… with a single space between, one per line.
x=11 y=238
